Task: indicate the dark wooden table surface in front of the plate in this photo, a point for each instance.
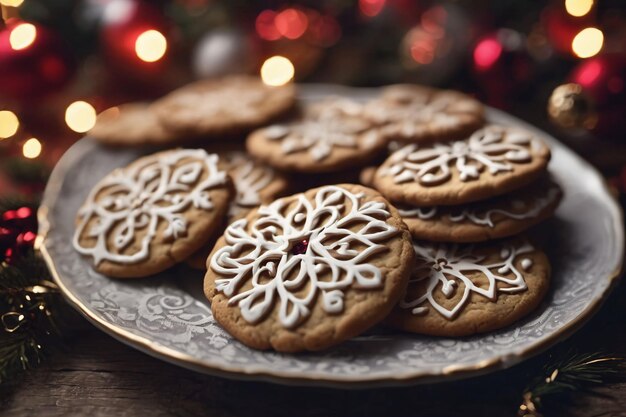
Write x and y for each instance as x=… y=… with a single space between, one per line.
x=99 y=376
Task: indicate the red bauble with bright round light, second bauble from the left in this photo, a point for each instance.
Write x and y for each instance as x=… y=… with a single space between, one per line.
x=124 y=22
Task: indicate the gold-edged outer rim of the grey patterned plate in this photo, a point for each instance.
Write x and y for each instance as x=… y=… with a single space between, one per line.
x=311 y=378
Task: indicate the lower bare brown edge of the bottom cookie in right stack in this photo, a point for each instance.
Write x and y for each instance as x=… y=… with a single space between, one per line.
x=402 y=319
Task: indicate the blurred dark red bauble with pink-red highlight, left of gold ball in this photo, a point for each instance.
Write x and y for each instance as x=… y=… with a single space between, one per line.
x=502 y=66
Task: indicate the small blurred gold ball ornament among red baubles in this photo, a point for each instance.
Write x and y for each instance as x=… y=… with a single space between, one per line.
x=570 y=108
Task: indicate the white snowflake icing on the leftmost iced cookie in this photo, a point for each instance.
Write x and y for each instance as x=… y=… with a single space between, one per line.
x=141 y=197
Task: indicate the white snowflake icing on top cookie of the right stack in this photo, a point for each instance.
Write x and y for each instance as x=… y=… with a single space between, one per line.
x=494 y=148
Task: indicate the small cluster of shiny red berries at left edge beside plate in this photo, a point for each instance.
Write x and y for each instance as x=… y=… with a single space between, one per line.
x=18 y=231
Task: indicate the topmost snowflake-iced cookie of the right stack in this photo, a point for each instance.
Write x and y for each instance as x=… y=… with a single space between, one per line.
x=492 y=161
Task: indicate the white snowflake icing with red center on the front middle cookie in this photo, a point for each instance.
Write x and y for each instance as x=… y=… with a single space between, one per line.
x=318 y=246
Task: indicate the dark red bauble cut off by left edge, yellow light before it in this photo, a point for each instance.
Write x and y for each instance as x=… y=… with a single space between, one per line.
x=33 y=61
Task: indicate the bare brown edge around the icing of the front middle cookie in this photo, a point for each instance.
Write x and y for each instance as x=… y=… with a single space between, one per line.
x=285 y=340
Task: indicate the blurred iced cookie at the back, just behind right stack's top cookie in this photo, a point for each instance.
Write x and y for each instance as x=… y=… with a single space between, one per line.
x=413 y=113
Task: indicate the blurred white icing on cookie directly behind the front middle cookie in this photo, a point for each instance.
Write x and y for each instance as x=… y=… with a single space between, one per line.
x=335 y=126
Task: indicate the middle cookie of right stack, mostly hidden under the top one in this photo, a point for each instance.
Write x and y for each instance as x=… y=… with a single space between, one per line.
x=494 y=218
